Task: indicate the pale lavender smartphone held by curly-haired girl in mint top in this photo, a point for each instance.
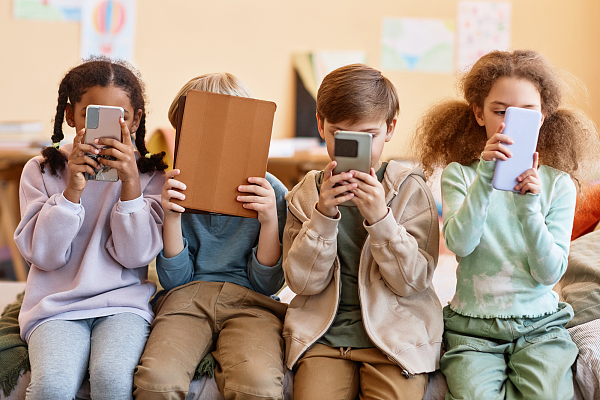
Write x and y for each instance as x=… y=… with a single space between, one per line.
x=523 y=127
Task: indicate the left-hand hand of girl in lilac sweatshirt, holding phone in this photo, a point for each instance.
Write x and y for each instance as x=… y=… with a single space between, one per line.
x=79 y=163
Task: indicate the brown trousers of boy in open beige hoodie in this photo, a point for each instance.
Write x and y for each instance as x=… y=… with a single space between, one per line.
x=327 y=373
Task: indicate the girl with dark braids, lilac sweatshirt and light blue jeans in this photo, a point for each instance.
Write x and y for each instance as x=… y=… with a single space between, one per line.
x=88 y=243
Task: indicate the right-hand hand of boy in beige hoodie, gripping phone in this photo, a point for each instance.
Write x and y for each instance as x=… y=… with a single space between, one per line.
x=369 y=196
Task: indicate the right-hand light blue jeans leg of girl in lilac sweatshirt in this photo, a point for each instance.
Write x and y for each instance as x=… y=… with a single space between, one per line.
x=117 y=344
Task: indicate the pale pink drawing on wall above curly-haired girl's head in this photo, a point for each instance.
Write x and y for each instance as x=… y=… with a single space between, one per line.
x=483 y=26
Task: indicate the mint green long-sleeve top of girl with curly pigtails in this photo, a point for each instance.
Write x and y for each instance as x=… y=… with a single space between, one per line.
x=511 y=248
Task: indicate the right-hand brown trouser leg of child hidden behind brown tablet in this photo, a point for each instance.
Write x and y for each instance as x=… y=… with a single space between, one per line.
x=249 y=350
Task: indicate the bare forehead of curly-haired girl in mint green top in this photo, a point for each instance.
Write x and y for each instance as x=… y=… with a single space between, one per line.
x=514 y=91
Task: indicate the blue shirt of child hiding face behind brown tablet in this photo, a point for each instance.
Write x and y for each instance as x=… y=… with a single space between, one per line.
x=222 y=248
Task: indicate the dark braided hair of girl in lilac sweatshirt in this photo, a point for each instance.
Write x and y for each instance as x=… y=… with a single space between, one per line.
x=101 y=71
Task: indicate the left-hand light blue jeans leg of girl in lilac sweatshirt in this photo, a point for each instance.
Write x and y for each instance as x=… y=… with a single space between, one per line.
x=58 y=353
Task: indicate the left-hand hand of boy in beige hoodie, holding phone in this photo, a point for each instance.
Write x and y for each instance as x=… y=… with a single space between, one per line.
x=335 y=190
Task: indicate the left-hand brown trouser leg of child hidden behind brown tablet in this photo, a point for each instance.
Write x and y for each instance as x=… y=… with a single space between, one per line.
x=181 y=336
